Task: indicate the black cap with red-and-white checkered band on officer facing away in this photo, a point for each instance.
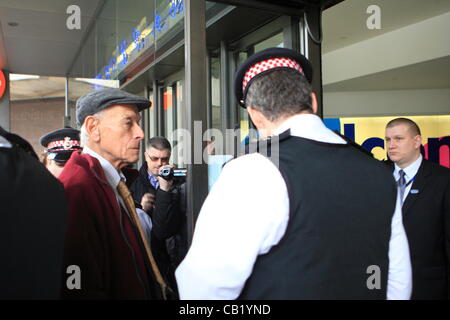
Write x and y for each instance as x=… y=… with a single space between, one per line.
x=266 y=61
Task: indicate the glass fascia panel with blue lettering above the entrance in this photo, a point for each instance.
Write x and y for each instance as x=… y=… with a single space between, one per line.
x=125 y=31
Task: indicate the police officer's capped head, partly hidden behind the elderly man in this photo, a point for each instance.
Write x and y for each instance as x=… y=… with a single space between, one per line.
x=59 y=146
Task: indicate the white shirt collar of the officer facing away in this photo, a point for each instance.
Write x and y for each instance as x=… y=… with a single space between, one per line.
x=309 y=126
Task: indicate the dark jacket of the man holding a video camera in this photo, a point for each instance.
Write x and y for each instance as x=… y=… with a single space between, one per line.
x=168 y=240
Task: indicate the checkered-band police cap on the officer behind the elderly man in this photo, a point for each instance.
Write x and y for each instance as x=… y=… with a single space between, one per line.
x=61 y=143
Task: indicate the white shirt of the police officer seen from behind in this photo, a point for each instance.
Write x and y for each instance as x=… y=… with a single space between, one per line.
x=246 y=214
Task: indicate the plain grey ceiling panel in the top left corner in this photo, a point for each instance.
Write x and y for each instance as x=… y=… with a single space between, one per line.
x=41 y=43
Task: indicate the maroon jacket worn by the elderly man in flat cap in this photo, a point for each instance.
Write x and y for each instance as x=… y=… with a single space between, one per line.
x=100 y=238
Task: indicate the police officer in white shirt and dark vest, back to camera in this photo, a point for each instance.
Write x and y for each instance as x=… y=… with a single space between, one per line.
x=322 y=222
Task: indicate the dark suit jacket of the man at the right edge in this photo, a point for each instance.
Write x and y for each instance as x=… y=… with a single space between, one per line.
x=426 y=218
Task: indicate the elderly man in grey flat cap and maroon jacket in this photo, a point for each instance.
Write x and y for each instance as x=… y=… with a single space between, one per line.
x=105 y=244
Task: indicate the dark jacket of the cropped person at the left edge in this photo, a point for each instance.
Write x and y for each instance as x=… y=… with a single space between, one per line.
x=33 y=220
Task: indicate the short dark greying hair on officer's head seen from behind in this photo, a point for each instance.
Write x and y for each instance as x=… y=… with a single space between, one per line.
x=279 y=94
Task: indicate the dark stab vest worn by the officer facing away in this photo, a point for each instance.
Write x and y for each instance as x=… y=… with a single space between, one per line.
x=341 y=204
